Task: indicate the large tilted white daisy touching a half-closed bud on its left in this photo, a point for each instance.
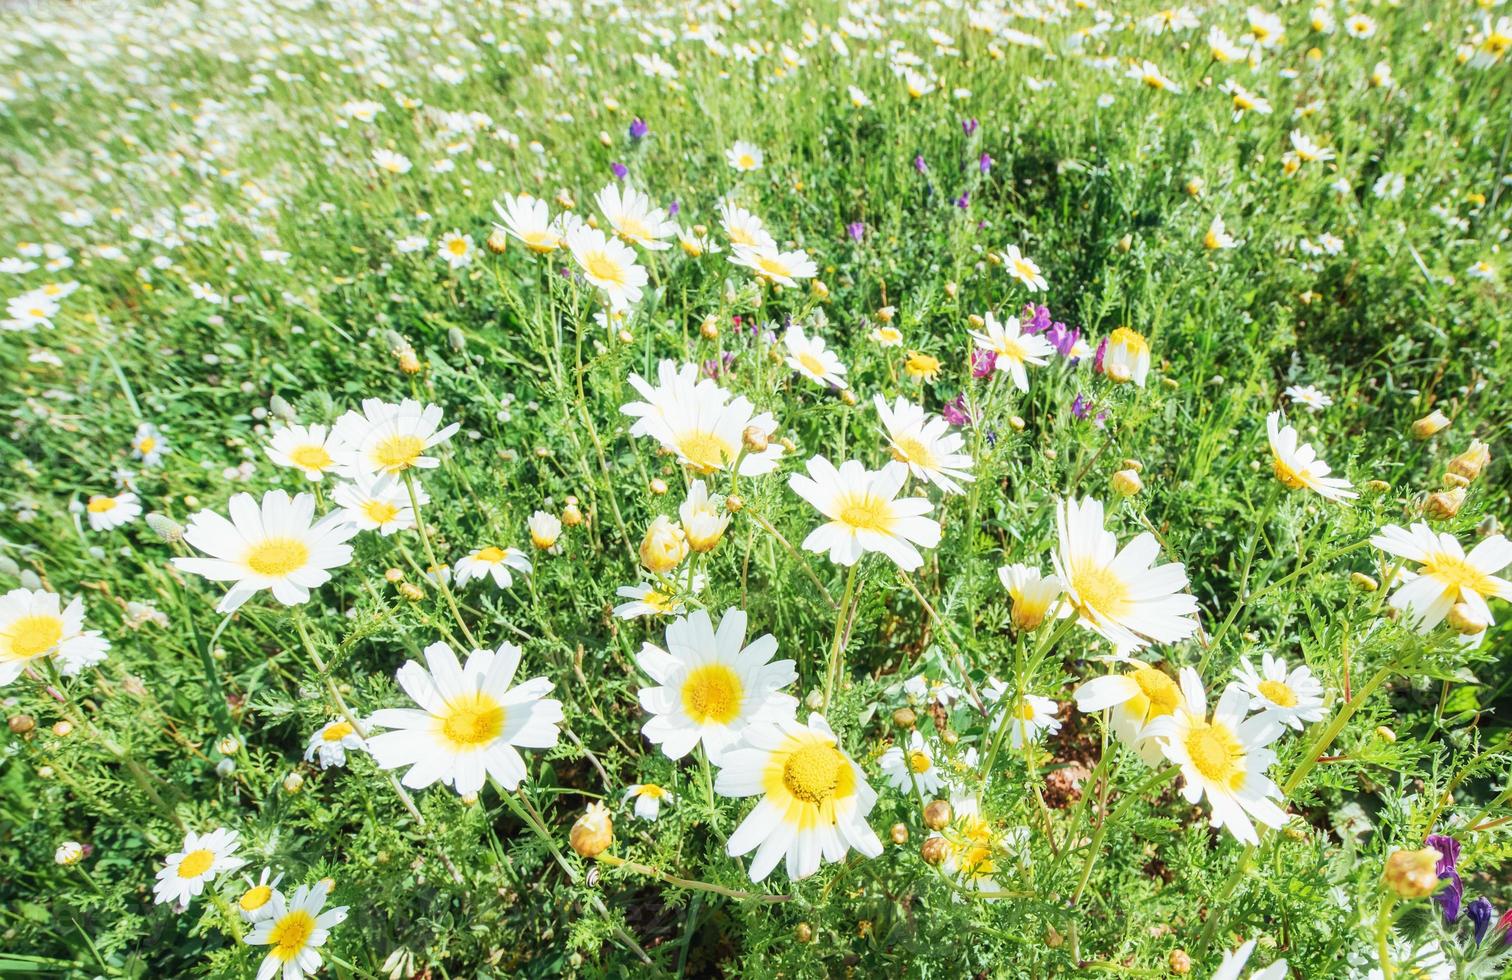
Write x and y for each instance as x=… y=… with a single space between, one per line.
x=1120 y=595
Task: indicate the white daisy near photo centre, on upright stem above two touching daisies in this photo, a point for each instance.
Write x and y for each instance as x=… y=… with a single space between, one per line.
x=866 y=513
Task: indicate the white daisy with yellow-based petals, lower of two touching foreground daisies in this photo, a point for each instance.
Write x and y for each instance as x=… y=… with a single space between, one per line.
x=814 y=799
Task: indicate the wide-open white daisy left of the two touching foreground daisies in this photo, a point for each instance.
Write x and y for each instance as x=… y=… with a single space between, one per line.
x=469 y=722
